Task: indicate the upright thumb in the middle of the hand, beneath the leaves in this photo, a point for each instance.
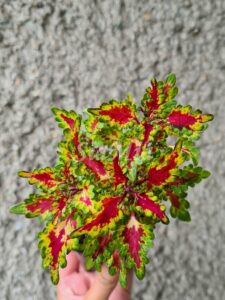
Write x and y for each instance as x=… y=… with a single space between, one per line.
x=103 y=285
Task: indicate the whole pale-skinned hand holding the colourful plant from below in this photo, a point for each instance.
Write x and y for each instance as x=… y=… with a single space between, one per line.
x=78 y=284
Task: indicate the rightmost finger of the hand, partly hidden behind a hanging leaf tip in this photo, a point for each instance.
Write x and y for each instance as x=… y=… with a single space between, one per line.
x=123 y=293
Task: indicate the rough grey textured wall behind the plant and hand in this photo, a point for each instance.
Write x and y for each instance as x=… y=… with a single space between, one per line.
x=72 y=54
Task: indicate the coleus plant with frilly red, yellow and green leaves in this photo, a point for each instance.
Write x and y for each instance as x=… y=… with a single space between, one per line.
x=116 y=167
